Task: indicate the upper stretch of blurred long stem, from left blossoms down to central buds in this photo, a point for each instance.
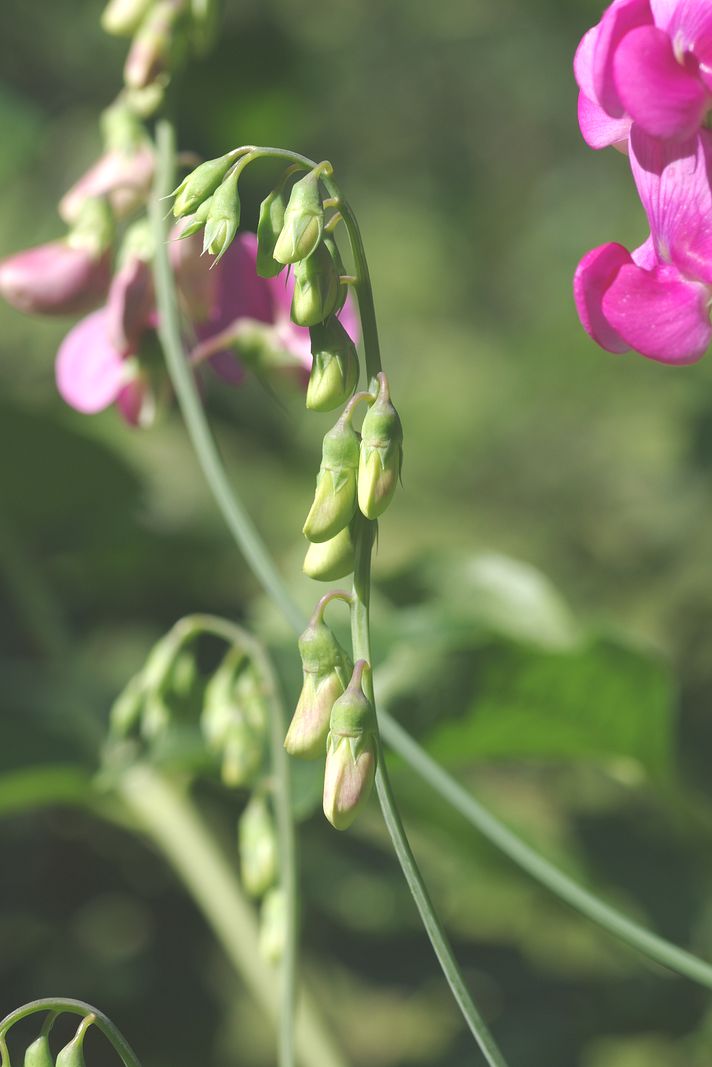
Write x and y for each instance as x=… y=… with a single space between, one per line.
x=234 y=514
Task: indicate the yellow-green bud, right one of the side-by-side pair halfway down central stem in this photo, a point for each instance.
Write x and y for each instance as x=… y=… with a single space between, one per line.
x=382 y=454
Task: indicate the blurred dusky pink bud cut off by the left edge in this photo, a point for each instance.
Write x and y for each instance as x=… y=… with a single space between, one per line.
x=55 y=279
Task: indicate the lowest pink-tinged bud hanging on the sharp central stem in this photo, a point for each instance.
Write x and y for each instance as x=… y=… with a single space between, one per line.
x=352 y=754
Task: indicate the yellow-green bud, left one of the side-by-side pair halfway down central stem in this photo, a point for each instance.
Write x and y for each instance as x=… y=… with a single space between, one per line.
x=336 y=498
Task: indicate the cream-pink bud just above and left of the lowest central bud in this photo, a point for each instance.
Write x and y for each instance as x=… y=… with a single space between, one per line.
x=327 y=668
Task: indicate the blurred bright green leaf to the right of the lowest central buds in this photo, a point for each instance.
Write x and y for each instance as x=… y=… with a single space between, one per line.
x=603 y=702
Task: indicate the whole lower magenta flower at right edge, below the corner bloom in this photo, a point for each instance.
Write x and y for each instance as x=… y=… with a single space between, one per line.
x=657 y=301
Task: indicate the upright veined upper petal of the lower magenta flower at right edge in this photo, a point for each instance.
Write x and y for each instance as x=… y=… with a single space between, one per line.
x=674 y=184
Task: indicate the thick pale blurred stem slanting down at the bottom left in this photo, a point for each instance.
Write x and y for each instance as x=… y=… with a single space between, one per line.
x=176 y=826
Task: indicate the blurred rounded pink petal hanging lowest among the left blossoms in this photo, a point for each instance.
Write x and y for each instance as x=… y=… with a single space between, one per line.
x=90 y=372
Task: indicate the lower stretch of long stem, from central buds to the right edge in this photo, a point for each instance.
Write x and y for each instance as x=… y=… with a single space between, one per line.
x=647 y=943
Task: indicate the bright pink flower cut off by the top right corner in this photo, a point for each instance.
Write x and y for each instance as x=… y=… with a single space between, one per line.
x=647 y=62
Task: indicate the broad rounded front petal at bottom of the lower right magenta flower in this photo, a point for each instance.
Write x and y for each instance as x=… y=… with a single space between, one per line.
x=660 y=314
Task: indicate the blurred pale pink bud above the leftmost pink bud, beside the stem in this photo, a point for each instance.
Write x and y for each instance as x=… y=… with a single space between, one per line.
x=123 y=177
